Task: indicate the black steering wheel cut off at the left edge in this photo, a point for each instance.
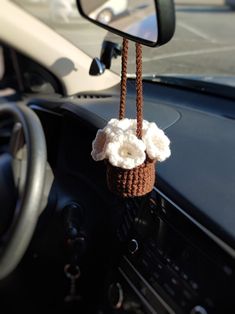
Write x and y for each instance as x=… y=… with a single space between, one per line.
x=28 y=203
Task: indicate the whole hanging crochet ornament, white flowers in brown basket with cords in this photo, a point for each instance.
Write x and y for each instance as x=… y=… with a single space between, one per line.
x=131 y=147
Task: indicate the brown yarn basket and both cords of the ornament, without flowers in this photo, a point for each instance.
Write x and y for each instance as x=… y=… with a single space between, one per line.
x=140 y=180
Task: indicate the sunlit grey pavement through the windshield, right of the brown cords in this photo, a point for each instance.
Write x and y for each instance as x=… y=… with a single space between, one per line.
x=204 y=43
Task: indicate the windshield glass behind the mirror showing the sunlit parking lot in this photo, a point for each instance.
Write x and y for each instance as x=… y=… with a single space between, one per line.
x=203 y=45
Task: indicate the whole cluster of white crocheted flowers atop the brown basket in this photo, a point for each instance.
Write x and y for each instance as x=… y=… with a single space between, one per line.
x=118 y=143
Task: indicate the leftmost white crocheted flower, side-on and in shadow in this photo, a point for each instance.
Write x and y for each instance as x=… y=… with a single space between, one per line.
x=99 y=146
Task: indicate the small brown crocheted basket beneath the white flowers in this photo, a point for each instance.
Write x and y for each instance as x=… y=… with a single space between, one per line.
x=129 y=183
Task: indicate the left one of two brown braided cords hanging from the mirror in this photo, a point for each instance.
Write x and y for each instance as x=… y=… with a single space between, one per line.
x=122 y=110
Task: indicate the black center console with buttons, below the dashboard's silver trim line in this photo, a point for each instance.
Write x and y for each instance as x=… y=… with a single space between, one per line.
x=169 y=264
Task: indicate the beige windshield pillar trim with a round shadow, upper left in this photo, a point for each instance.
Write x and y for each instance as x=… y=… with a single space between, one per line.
x=36 y=40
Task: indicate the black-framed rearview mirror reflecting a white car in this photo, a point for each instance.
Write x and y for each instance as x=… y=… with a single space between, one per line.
x=149 y=22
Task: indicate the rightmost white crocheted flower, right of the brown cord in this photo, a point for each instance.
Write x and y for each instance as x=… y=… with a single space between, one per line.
x=157 y=143
